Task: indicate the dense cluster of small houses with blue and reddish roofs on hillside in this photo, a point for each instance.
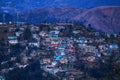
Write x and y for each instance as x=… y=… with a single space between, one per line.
x=56 y=52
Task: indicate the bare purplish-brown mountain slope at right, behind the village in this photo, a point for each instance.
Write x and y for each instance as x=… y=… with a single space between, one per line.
x=106 y=18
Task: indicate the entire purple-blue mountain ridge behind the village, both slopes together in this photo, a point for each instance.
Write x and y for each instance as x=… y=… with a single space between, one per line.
x=106 y=18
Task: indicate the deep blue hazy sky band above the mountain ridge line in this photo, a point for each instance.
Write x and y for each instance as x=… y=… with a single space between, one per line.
x=24 y=5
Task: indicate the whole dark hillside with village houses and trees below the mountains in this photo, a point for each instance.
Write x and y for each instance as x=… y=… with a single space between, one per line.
x=66 y=51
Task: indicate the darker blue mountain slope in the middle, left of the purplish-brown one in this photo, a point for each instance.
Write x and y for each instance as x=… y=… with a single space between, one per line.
x=51 y=14
